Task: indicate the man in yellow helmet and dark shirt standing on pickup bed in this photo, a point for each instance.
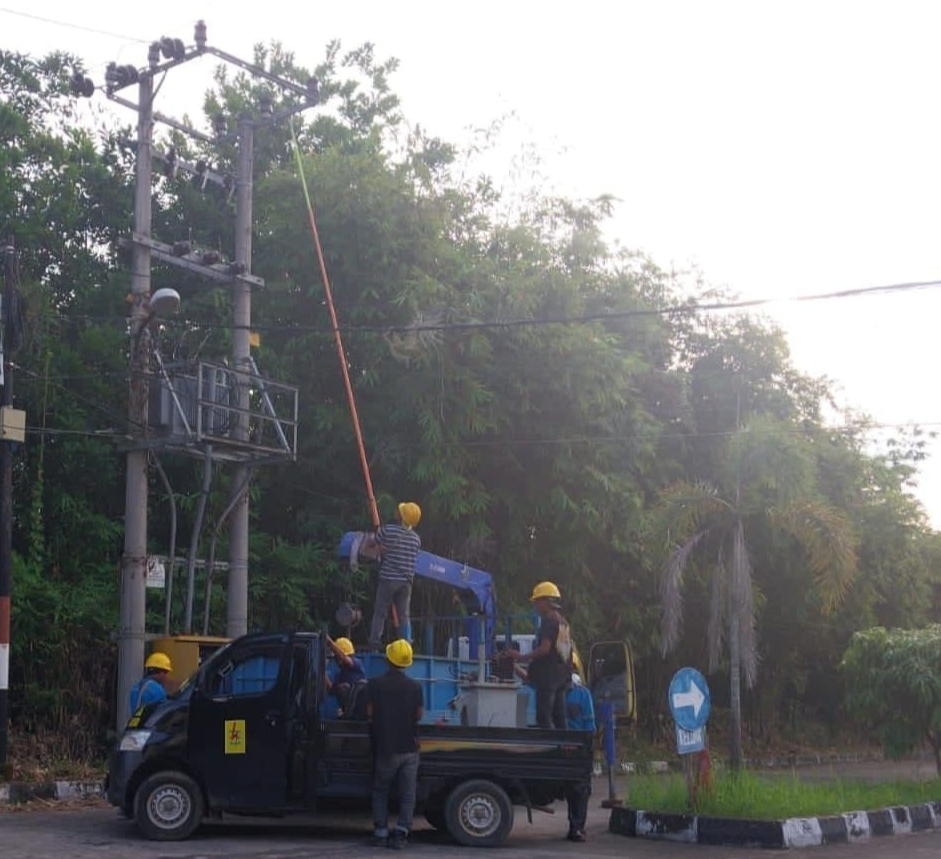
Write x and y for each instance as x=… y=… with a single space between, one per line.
x=550 y=660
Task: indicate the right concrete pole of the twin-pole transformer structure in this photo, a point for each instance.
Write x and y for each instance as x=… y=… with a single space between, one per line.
x=237 y=603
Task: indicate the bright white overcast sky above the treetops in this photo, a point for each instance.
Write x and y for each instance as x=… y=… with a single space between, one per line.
x=778 y=148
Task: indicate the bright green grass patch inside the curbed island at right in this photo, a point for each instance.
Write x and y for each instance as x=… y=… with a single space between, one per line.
x=774 y=797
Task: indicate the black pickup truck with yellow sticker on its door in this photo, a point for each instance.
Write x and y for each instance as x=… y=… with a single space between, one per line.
x=246 y=735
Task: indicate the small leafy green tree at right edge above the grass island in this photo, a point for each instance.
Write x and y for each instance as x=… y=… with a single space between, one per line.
x=893 y=682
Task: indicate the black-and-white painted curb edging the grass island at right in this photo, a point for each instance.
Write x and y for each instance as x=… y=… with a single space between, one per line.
x=848 y=828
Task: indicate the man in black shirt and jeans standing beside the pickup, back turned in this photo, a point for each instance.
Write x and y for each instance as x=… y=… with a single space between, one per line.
x=394 y=706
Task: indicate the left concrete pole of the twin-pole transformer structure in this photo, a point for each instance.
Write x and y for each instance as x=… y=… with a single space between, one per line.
x=134 y=562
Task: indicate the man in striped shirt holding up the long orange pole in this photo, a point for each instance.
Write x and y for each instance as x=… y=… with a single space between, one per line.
x=398 y=546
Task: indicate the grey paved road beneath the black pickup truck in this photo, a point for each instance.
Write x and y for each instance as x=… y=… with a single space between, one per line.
x=97 y=833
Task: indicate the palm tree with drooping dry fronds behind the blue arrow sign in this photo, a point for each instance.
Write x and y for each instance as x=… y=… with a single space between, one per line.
x=770 y=473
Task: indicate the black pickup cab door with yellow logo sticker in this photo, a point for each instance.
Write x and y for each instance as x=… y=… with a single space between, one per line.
x=238 y=737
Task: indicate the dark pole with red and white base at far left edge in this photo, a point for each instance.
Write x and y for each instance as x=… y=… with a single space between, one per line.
x=6 y=502
